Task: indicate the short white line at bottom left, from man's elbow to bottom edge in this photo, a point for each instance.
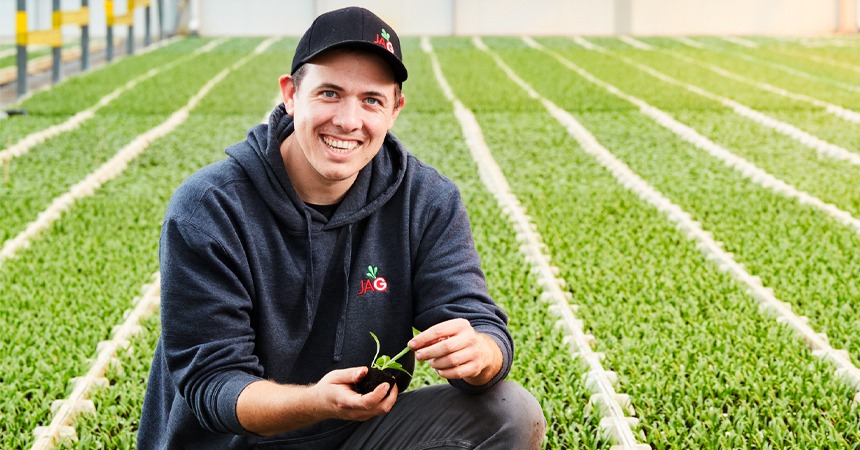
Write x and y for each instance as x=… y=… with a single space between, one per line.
x=65 y=411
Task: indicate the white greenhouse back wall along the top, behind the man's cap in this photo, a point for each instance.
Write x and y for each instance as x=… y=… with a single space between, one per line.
x=485 y=17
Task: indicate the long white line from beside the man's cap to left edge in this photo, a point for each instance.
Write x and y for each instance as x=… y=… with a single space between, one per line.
x=116 y=165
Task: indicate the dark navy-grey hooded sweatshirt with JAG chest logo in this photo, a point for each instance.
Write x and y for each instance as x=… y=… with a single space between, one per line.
x=257 y=285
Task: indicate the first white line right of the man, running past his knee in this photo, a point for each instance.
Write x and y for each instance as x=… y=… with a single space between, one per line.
x=615 y=408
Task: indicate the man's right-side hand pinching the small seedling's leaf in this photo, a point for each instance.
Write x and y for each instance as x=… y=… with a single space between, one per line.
x=456 y=351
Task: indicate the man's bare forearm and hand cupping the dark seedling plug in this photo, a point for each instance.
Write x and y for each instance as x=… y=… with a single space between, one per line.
x=268 y=408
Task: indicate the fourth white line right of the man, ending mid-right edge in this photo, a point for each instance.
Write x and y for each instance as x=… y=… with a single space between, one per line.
x=824 y=148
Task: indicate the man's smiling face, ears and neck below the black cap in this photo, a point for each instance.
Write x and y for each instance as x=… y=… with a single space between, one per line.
x=342 y=109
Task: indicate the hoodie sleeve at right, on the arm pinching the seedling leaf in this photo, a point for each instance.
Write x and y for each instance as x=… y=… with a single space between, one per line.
x=448 y=281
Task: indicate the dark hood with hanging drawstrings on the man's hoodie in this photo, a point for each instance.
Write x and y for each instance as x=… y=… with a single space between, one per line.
x=260 y=157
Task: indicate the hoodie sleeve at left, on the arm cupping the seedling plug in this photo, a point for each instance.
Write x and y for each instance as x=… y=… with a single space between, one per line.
x=206 y=332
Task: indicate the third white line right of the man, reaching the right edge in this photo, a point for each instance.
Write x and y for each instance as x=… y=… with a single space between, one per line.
x=735 y=162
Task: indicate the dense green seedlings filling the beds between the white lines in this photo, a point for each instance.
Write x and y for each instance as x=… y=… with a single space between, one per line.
x=702 y=366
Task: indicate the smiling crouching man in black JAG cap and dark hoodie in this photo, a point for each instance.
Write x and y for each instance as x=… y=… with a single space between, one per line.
x=278 y=263
